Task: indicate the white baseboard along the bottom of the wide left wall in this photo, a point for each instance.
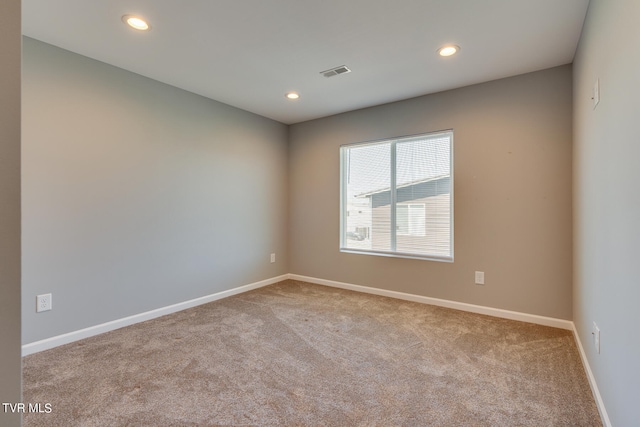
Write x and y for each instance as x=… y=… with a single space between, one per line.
x=56 y=341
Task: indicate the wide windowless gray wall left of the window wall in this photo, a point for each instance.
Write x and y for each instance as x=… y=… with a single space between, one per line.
x=138 y=195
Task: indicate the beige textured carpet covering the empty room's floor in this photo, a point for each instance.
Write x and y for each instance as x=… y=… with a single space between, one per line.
x=295 y=354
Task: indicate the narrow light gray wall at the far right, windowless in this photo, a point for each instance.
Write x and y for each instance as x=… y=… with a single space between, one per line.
x=607 y=202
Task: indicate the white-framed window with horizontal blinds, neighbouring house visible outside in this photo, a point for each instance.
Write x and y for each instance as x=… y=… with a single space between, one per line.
x=397 y=197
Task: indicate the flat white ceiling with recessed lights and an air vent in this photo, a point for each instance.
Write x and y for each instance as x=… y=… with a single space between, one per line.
x=249 y=53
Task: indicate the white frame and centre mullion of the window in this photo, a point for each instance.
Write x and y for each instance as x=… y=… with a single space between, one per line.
x=343 y=200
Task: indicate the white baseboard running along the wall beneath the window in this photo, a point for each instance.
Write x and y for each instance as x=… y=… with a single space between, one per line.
x=496 y=312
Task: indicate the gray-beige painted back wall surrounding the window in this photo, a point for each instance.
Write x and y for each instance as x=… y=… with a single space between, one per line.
x=512 y=199
